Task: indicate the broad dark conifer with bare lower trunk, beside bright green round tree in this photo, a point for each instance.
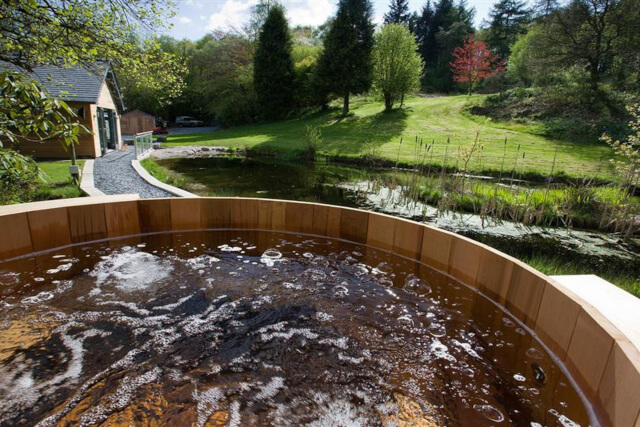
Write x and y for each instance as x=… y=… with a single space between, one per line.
x=345 y=65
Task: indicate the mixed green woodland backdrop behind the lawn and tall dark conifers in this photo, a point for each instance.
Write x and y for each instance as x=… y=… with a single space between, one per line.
x=571 y=67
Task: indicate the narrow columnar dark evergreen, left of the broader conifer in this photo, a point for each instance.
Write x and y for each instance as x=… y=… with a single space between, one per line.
x=274 y=73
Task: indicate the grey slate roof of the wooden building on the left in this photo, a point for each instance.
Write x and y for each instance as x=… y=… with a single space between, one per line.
x=68 y=84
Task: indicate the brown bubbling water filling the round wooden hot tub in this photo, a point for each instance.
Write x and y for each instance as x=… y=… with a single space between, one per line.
x=255 y=328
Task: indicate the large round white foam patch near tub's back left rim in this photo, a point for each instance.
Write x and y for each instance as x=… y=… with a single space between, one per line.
x=131 y=271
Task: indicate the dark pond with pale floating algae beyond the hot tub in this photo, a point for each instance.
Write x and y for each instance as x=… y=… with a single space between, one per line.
x=379 y=190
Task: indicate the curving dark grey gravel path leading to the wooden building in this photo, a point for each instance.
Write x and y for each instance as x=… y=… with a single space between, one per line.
x=113 y=174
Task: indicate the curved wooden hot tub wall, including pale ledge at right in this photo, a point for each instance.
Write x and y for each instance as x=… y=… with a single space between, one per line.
x=588 y=324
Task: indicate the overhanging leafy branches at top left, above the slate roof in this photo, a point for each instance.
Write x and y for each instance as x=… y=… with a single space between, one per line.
x=76 y=31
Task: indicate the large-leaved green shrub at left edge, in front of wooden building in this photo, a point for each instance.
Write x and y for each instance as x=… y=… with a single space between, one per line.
x=28 y=114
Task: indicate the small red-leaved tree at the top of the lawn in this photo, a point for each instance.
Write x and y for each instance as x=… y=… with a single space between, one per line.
x=474 y=62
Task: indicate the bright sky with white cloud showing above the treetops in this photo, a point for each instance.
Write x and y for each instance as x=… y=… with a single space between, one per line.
x=195 y=18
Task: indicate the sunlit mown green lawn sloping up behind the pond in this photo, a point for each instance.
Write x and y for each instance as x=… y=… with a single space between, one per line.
x=369 y=131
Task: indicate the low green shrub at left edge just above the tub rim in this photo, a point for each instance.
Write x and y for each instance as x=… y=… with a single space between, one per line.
x=19 y=175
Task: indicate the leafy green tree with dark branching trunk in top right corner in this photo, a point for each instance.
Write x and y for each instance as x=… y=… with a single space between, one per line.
x=591 y=34
